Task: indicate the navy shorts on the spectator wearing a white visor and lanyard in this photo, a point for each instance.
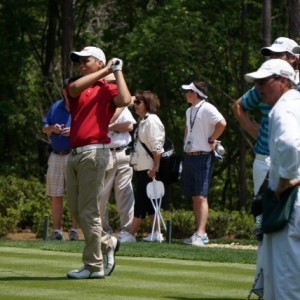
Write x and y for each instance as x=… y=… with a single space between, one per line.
x=197 y=174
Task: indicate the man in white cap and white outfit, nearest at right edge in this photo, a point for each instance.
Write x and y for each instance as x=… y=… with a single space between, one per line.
x=276 y=82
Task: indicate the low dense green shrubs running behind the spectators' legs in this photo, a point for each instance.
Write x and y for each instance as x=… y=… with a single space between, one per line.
x=23 y=204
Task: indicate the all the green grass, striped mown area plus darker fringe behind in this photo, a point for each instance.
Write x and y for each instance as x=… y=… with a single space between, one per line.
x=37 y=270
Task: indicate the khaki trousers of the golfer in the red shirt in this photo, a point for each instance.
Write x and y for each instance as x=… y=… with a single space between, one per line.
x=85 y=180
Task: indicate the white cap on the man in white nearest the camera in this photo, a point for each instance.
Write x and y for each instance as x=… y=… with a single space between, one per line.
x=271 y=67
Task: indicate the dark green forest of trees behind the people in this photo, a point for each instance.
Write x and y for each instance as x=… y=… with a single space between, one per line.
x=163 y=44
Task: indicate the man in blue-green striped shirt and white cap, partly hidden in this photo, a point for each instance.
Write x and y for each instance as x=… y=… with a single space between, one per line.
x=281 y=48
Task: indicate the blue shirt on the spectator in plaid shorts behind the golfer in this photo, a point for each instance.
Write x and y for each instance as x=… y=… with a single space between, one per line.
x=58 y=114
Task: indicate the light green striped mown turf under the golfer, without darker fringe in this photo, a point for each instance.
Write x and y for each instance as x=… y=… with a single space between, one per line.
x=40 y=274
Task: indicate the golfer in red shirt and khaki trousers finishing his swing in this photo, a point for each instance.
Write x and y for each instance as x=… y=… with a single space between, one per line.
x=93 y=102
